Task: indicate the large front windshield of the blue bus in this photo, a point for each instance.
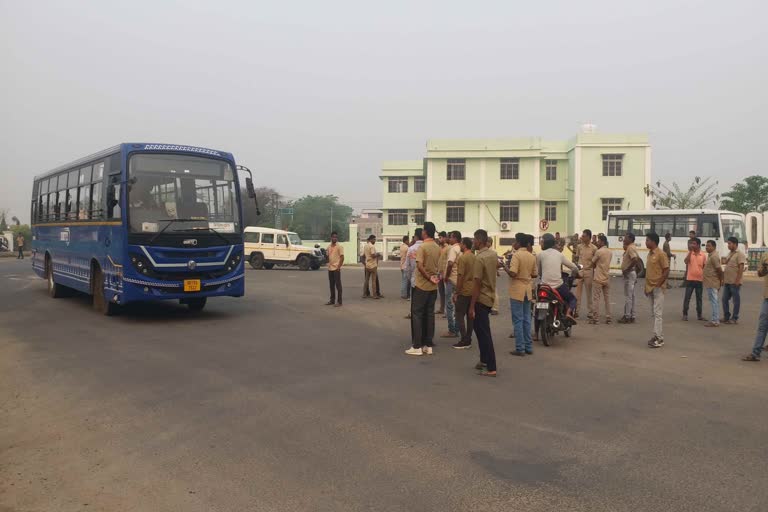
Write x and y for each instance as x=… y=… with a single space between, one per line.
x=192 y=193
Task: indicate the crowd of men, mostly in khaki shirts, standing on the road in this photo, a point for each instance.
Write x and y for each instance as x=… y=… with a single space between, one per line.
x=461 y=273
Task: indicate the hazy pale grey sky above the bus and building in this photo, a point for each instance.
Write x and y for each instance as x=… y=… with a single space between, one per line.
x=313 y=96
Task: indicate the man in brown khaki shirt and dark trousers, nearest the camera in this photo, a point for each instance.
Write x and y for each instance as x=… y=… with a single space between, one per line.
x=484 y=274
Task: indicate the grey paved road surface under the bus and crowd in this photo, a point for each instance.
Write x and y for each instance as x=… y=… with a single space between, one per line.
x=277 y=403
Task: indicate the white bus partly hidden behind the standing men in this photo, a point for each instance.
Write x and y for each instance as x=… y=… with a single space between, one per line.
x=708 y=224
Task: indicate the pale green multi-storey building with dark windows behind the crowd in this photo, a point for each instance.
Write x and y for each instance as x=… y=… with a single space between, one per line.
x=510 y=185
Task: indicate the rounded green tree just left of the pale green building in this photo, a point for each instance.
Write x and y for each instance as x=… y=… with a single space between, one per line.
x=315 y=217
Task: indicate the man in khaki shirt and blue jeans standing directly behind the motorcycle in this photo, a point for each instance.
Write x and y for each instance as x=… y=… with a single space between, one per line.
x=521 y=271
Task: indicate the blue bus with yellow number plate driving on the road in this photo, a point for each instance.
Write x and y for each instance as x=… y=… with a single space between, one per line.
x=141 y=222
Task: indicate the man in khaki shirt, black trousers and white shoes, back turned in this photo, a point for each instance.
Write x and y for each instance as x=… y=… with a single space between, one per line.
x=424 y=294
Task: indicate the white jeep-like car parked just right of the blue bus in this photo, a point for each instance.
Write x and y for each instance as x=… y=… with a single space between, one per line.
x=267 y=247
